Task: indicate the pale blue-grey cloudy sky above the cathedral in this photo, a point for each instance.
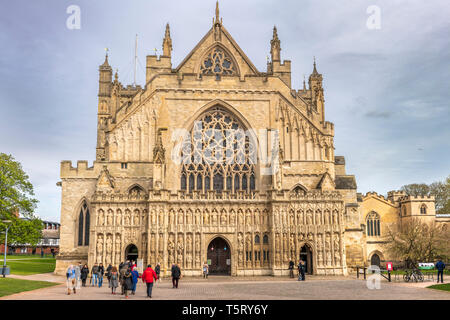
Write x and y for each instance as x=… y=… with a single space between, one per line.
x=386 y=90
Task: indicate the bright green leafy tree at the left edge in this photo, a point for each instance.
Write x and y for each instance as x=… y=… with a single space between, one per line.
x=16 y=194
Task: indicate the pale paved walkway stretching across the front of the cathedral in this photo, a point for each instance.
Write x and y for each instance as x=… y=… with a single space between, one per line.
x=233 y=288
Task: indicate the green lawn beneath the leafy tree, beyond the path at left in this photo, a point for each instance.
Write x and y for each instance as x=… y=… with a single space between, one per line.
x=26 y=265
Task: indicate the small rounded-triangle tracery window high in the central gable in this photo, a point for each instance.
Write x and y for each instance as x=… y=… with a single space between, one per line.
x=218 y=63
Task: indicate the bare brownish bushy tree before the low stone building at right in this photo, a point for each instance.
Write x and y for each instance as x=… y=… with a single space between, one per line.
x=416 y=241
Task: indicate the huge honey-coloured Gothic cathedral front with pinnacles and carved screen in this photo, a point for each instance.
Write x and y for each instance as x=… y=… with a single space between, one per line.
x=213 y=161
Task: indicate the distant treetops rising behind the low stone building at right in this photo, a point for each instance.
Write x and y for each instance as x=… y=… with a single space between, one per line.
x=439 y=189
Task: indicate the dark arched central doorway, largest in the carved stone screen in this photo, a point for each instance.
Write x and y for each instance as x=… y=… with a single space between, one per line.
x=219 y=257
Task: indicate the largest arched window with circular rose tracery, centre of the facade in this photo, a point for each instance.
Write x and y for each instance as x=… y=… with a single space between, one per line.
x=220 y=153
